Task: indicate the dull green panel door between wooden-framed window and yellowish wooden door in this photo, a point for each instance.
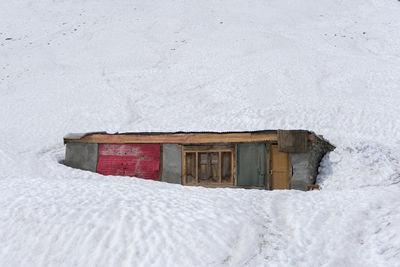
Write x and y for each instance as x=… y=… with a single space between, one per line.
x=251 y=164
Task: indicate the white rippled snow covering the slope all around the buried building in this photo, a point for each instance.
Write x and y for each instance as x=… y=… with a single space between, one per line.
x=330 y=66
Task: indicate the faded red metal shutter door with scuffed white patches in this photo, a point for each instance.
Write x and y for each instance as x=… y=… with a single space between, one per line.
x=139 y=160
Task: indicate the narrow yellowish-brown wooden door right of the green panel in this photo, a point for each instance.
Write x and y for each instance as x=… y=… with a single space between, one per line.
x=279 y=169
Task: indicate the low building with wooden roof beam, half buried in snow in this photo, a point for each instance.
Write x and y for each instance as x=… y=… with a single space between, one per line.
x=270 y=159
